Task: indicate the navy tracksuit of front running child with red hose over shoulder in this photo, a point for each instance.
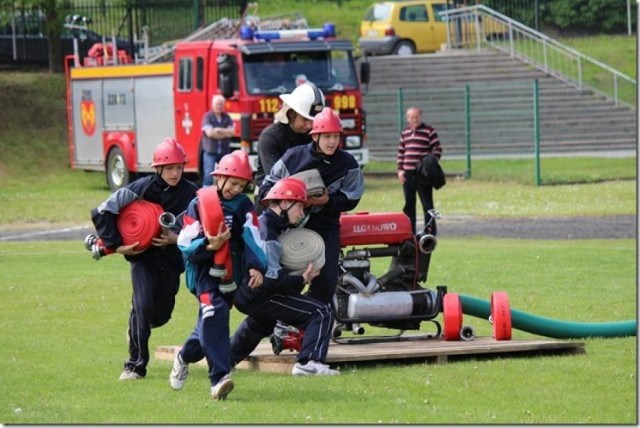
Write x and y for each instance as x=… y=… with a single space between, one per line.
x=210 y=337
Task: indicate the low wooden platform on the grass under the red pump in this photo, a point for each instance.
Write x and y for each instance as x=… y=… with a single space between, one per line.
x=435 y=351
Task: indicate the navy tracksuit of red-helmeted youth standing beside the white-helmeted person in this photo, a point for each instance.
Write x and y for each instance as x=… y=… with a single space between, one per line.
x=343 y=178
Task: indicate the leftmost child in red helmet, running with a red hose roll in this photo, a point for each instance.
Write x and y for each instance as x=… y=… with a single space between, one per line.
x=155 y=271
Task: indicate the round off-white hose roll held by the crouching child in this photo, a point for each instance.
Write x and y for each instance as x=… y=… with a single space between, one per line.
x=299 y=248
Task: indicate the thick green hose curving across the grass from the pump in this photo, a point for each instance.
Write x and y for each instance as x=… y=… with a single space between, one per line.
x=550 y=327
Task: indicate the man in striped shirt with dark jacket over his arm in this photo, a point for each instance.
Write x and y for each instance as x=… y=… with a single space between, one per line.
x=416 y=141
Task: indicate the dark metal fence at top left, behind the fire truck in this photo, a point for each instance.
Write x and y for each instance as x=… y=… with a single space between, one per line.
x=165 y=20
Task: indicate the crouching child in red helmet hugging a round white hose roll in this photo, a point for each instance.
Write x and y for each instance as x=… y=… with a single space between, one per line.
x=279 y=297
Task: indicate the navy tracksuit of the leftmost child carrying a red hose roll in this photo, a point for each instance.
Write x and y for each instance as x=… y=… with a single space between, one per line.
x=155 y=273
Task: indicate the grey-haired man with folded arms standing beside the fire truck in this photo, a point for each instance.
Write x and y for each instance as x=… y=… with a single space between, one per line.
x=217 y=128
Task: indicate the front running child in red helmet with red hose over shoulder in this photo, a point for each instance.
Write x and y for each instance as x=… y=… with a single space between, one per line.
x=213 y=222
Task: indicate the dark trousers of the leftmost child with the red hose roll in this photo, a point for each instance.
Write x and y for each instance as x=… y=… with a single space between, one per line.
x=155 y=286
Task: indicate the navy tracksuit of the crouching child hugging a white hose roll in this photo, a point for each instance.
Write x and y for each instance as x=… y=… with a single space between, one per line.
x=279 y=298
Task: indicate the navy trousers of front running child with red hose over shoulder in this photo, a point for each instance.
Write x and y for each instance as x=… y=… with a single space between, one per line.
x=210 y=338
